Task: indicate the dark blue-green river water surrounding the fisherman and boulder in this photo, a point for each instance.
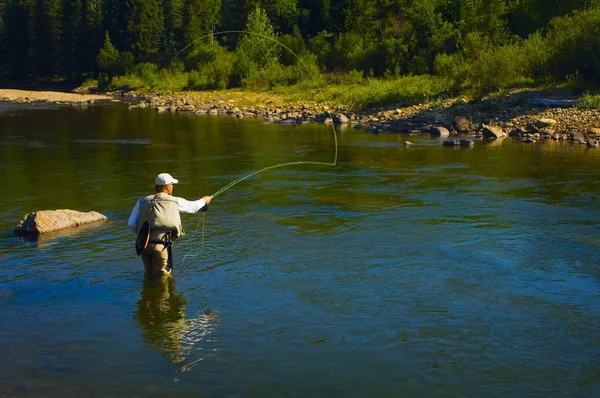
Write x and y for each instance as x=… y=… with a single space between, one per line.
x=406 y=272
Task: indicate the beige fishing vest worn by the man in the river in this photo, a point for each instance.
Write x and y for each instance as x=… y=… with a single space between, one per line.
x=163 y=218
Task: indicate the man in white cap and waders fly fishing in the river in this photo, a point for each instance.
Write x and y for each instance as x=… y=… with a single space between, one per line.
x=161 y=211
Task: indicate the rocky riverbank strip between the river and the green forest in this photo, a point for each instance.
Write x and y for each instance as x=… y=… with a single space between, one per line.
x=530 y=115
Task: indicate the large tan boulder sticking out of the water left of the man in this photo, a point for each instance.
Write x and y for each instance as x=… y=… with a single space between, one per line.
x=44 y=221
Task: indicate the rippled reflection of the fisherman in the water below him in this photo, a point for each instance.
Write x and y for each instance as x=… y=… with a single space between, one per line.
x=162 y=313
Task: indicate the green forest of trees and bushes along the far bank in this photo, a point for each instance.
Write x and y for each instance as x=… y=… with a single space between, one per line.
x=261 y=44
